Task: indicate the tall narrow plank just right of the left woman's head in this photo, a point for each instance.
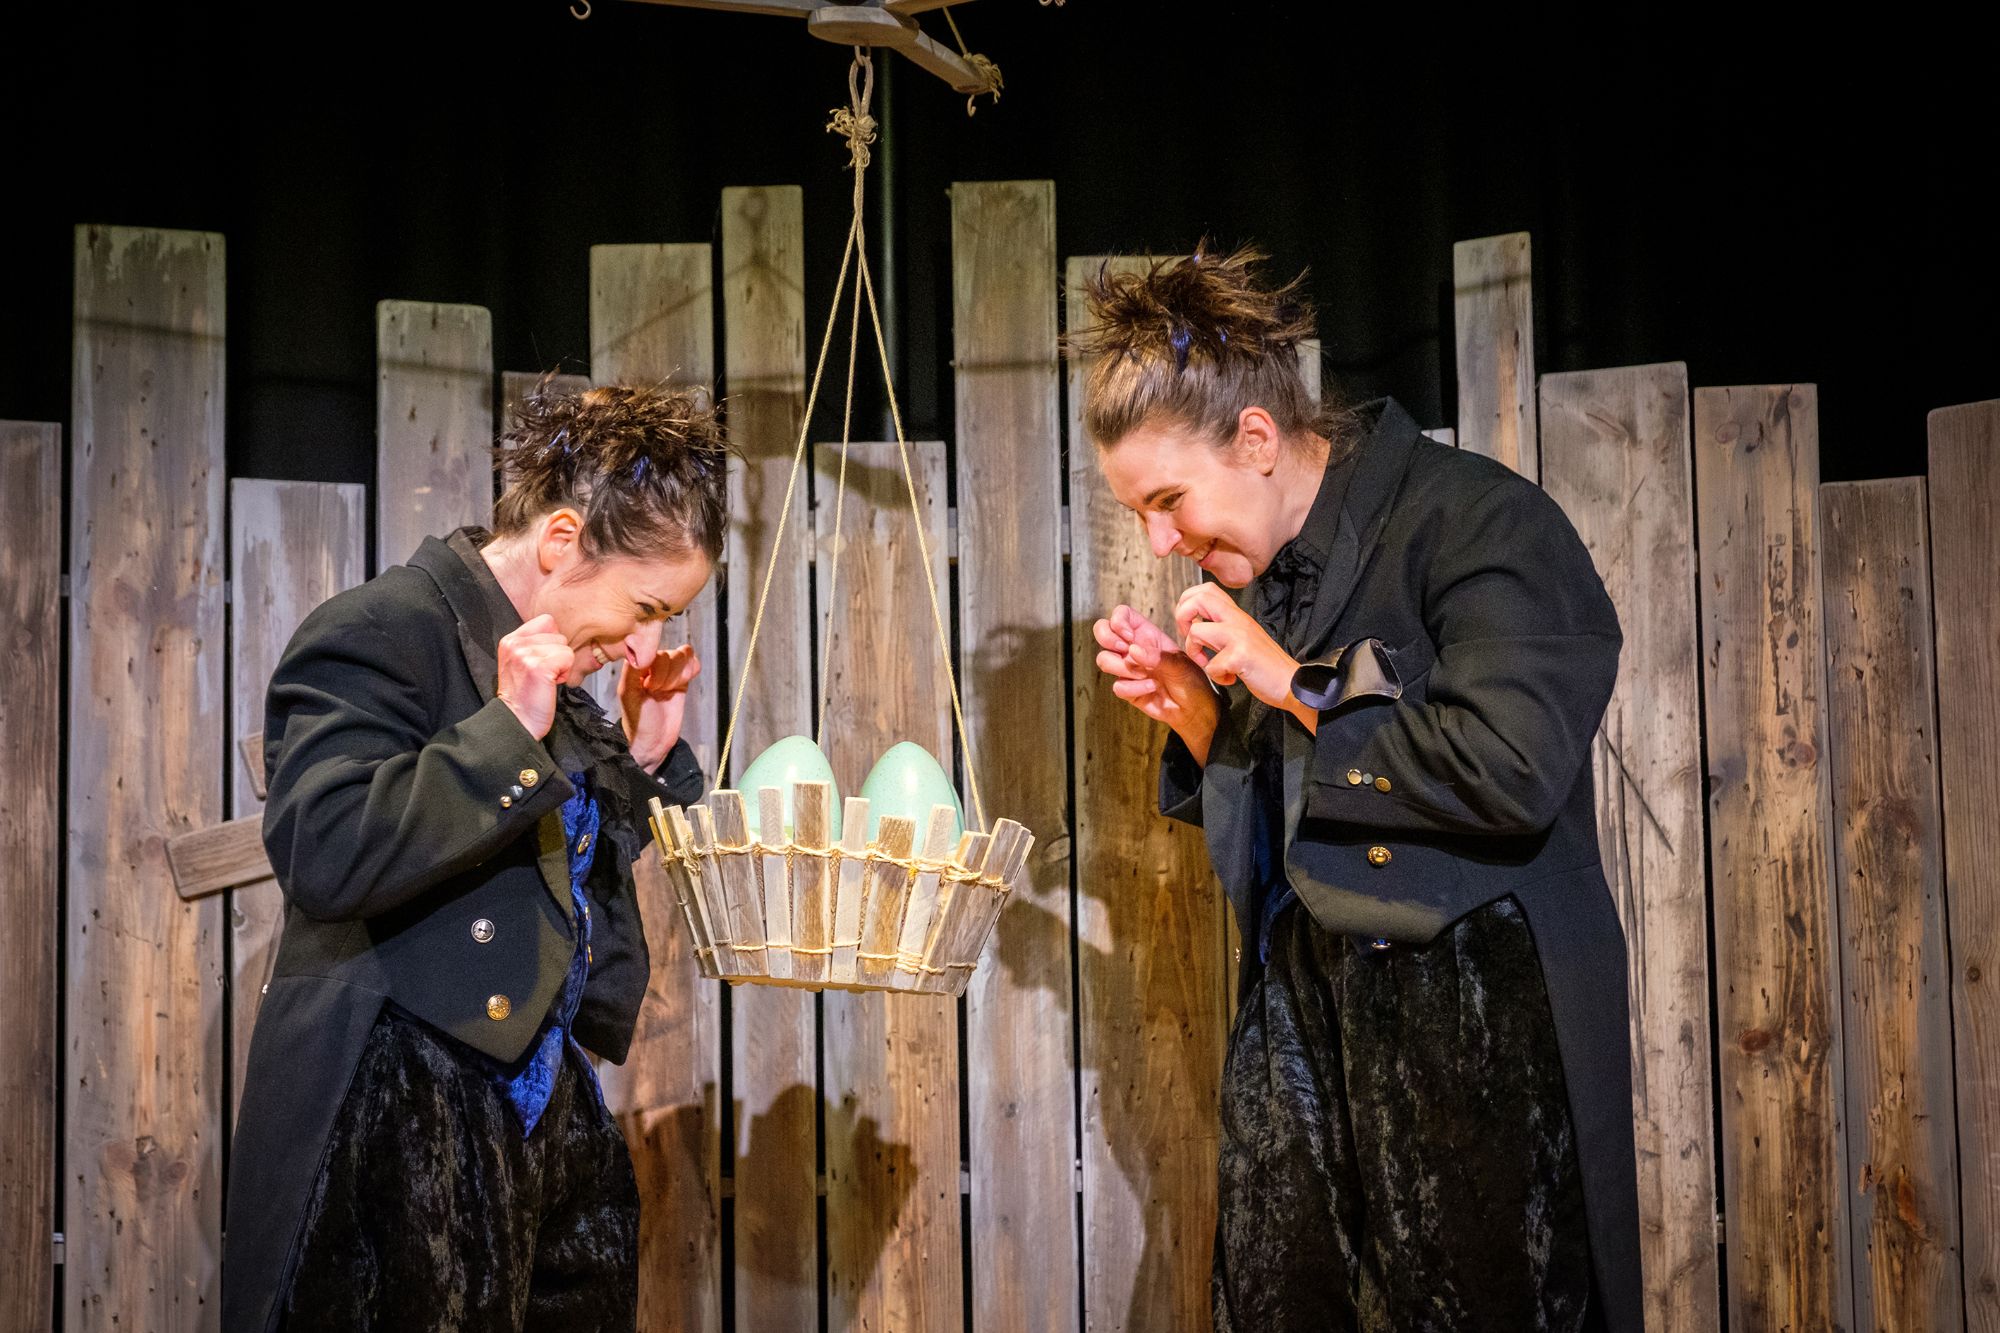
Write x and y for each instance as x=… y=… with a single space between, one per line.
x=775 y=1032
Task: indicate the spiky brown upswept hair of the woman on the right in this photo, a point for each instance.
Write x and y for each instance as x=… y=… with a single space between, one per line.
x=1191 y=343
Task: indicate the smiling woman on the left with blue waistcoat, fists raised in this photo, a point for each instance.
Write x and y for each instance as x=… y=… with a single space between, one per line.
x=453 y=822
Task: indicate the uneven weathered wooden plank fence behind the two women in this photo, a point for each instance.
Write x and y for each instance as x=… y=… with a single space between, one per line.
x=1795 y=780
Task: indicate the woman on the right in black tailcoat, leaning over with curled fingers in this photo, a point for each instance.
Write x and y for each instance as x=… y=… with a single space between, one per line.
x=1427 y=1114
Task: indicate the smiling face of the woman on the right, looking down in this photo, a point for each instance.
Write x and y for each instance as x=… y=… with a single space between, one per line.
x=1223 y=507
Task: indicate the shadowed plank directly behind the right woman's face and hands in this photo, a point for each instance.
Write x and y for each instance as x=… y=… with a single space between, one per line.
x=1151 y=944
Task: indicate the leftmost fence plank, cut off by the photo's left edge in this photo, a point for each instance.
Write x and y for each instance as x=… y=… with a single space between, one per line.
x=31 y=790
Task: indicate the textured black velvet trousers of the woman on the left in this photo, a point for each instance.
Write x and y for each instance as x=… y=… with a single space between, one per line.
x=433 y=1212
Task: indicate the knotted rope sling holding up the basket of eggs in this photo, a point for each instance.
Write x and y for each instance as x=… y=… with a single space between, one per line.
x=859 y=127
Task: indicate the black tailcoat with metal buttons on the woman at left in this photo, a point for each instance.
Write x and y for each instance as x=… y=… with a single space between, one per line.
x=415 y=828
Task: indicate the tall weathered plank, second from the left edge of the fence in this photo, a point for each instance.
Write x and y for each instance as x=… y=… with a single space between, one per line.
x=143 y=1096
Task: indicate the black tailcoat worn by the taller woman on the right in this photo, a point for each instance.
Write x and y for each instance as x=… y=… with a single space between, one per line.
x=1461 y=653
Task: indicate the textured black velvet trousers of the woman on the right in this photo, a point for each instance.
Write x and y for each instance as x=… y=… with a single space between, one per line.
x=1397 y=1148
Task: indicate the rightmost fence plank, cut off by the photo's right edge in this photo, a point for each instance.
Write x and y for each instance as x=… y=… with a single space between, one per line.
x=1965 y=567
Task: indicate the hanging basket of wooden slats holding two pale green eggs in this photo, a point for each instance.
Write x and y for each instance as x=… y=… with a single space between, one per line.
x=851 y=916
